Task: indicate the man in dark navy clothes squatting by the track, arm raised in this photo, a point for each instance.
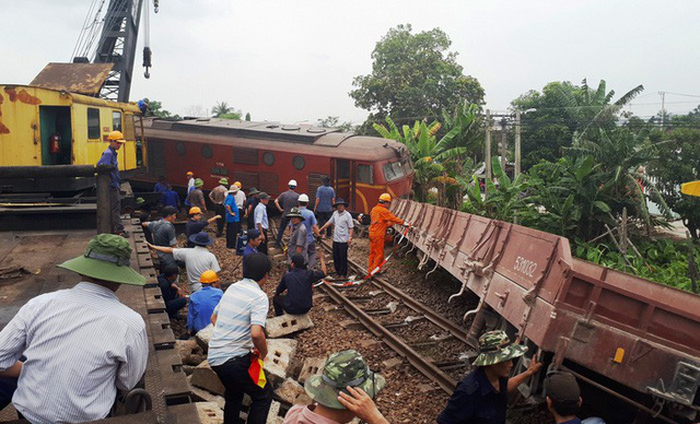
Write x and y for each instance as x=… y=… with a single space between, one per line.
x=294 y=293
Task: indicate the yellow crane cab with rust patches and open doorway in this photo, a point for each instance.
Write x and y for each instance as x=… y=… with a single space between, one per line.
x=56 y=120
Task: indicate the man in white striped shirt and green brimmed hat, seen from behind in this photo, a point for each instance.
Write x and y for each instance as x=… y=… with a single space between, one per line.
x=81 y=344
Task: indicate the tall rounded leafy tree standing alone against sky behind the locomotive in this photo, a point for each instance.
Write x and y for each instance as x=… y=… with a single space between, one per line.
x=414 y=76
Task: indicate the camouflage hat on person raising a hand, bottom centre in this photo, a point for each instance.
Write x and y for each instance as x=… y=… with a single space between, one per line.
x=346 y=368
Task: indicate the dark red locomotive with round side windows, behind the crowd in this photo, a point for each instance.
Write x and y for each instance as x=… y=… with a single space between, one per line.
x=267 y=155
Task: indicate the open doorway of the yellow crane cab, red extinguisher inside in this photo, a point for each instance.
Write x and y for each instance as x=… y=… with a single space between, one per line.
x=56 y=135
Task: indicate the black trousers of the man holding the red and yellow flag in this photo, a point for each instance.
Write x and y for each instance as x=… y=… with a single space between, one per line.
x=235 y=378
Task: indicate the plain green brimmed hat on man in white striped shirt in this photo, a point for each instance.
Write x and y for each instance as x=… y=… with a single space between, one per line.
x=106 y=258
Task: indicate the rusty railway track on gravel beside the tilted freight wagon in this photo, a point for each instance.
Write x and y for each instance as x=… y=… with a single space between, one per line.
x=382 y=322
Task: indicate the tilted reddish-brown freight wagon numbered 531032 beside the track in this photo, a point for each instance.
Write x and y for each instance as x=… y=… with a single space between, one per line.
x=631 y=338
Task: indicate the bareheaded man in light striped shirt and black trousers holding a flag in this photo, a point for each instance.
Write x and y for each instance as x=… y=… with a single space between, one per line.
x=239 y=335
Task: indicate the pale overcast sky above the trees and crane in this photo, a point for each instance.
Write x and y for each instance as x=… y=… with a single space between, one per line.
x=294 y=60
